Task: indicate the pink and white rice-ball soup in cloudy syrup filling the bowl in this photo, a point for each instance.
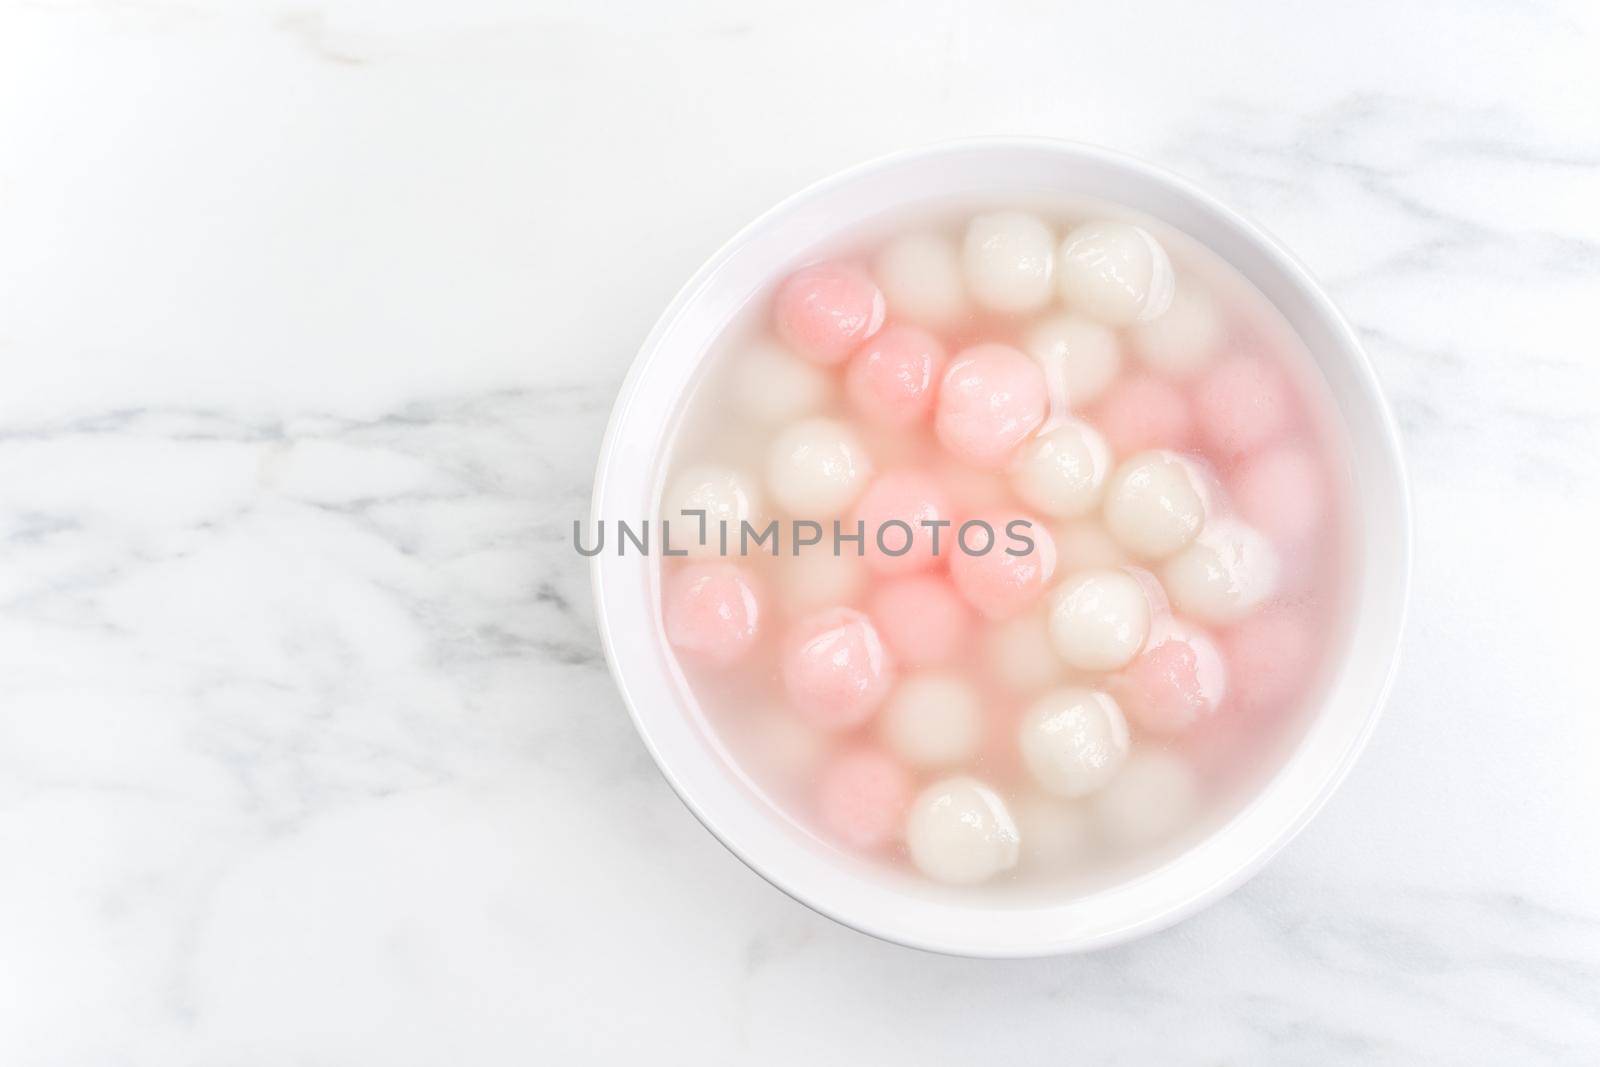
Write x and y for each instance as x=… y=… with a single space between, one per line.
x=1022 y=713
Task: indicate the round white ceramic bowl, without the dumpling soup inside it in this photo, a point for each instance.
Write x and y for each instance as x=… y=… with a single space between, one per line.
x=668 y=719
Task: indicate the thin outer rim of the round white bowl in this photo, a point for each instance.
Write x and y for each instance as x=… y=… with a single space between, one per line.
x=1391 y=447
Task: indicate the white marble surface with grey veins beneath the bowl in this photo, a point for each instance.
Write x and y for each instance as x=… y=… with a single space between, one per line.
x=311 y=316
